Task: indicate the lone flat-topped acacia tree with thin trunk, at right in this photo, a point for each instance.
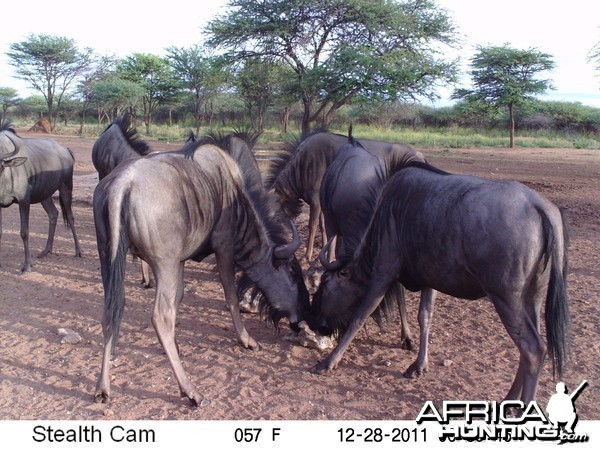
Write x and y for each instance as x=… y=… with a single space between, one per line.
x=505 y=77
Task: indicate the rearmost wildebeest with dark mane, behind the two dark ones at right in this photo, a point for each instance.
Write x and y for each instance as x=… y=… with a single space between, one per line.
x=296 y=174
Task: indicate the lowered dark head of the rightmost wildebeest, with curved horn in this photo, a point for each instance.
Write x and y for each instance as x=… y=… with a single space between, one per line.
x=337 y=298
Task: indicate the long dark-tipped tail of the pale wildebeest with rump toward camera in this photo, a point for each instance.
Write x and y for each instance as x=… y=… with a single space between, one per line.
x=114 y=299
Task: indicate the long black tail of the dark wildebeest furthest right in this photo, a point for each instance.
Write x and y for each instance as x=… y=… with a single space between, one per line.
x=557 y=306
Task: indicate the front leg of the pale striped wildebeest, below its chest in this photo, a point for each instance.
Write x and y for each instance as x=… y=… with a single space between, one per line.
x=227 y=274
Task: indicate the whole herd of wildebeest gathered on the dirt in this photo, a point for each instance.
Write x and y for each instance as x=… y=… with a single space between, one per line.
x=398 y=223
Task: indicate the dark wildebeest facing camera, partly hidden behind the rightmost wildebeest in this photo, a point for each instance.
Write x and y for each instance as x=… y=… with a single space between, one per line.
x=349 y=190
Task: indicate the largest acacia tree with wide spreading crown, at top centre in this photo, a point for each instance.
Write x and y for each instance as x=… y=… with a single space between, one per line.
x=339 y=49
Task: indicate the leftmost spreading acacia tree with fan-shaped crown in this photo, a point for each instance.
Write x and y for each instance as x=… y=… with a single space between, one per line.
x=50 y=64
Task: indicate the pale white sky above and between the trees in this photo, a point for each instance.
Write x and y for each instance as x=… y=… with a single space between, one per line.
x=565 y=30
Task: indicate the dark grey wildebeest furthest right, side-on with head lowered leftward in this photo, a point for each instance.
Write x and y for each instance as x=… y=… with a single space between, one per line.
x=467 y=237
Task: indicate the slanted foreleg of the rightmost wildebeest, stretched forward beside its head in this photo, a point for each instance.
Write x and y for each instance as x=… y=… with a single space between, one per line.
x=367 y=306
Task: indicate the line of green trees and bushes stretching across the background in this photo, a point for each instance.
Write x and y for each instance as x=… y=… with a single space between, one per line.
x=278 y=62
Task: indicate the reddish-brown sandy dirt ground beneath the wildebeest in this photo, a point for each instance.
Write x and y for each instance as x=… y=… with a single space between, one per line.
x=471 y=355
